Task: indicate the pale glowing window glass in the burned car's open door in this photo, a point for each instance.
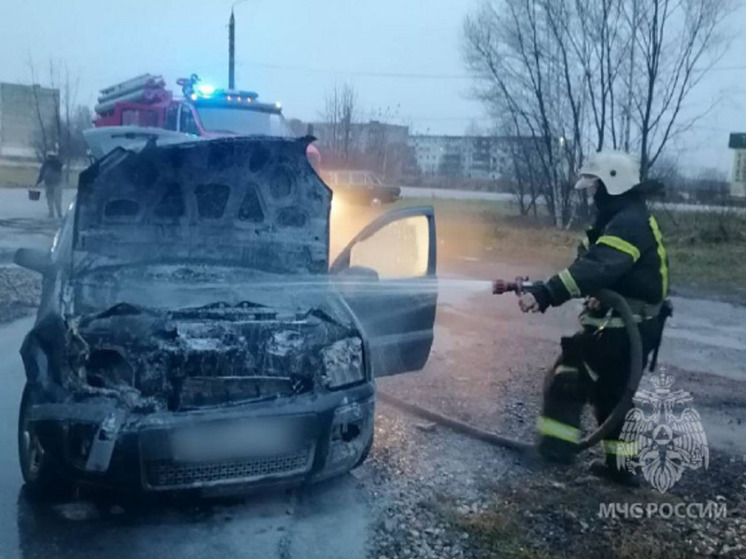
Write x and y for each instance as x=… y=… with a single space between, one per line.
x=397 y=251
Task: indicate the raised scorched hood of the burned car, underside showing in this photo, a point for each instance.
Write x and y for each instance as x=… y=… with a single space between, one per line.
x=247 y=201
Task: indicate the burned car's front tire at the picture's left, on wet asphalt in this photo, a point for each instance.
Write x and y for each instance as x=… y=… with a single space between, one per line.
x=42 y=472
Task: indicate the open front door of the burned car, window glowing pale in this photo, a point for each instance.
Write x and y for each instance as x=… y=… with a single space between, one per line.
x=387 y=276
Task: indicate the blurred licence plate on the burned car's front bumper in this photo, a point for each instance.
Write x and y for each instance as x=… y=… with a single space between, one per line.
x=234 y=440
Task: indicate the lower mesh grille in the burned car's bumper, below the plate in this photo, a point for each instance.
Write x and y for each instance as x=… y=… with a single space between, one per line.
x=166 y=474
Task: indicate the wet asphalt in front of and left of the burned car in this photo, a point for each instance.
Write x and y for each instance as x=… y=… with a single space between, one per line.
x=325 y=521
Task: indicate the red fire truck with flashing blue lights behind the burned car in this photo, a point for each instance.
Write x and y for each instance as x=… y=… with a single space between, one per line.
x=201 y=111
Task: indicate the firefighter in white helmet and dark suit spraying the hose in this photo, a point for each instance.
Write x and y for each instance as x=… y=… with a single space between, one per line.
x=624 y=252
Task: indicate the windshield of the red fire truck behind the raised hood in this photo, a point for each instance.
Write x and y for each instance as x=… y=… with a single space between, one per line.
x=243 y=121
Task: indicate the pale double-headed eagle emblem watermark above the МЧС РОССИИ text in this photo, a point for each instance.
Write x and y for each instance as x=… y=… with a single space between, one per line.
x=663 y=435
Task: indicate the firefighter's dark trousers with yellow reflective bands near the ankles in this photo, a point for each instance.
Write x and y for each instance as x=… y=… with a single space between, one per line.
x=592 y=369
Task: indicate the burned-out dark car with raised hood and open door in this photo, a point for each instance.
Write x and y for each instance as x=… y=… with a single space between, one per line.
x=193 y=334
